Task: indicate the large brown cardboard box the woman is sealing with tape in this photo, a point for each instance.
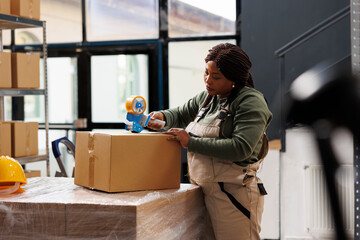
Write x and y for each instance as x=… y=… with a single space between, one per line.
x=126 y=162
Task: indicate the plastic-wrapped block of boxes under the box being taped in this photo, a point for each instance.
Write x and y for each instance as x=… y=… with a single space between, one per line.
x=56 y=208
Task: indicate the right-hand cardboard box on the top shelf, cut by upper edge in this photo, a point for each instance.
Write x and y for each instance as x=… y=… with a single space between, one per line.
x=26 y=8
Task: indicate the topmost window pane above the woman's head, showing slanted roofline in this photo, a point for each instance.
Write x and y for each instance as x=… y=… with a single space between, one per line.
x=201 y=17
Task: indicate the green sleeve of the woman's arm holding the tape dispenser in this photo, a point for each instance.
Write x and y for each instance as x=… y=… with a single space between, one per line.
x=181 y=116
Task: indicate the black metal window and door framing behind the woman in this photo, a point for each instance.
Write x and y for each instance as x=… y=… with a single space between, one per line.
x=156 y=49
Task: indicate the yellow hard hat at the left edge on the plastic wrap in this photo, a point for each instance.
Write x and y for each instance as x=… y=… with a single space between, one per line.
x=12 y=175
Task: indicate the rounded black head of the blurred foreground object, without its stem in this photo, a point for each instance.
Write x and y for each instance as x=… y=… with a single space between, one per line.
x=324 y=94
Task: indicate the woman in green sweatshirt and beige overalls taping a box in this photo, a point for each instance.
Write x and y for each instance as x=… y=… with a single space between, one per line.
x=225 y=140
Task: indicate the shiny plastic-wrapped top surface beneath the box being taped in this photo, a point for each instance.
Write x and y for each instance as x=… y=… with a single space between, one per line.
x=63 y=191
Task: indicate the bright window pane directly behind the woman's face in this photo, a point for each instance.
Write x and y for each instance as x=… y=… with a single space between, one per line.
x=186 y=69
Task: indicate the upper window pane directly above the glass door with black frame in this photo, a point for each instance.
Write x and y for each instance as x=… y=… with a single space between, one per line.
x=121 y=19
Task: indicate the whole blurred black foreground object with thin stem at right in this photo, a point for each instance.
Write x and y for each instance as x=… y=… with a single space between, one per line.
x=324 y=99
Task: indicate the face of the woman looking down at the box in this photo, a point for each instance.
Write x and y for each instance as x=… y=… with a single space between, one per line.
x=216 y=83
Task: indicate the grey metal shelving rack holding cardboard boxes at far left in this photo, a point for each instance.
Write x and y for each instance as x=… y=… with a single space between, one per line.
x=10 y=22
